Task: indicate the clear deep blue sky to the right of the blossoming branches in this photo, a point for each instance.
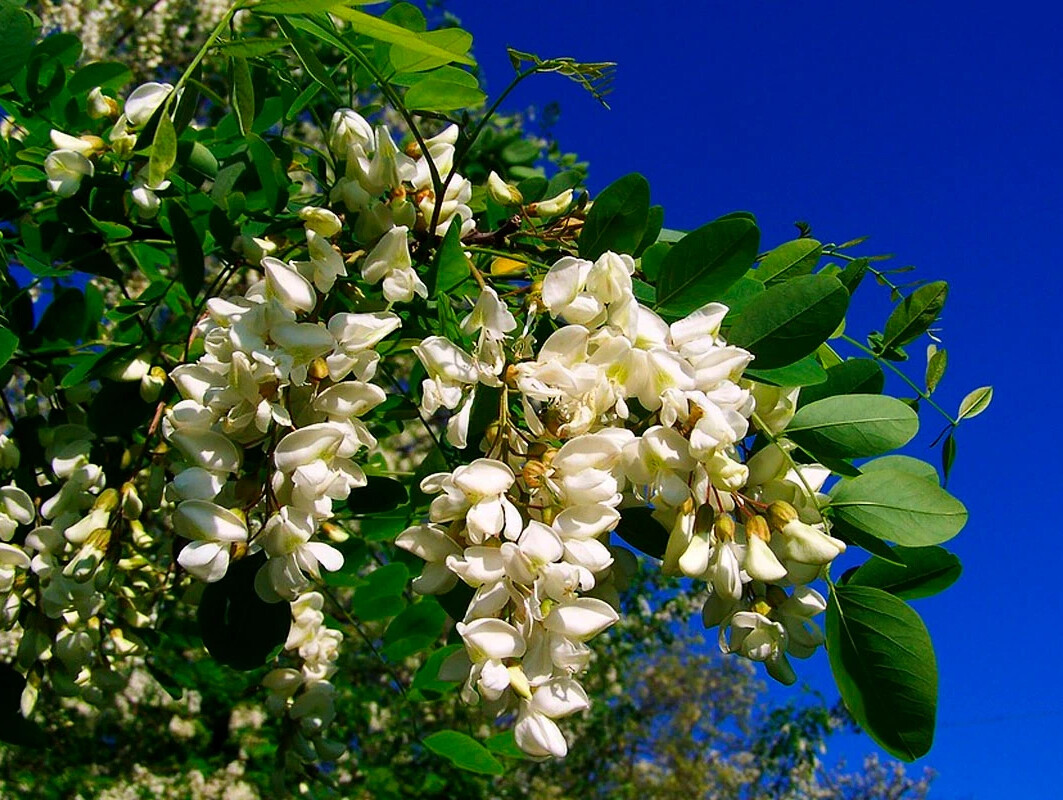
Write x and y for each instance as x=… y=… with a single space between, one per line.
x=936 y=128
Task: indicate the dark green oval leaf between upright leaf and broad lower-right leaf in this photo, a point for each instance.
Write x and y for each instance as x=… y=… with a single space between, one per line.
x=704 y=264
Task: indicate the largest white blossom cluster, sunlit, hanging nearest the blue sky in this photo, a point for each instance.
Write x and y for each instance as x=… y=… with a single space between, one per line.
x=617 y=410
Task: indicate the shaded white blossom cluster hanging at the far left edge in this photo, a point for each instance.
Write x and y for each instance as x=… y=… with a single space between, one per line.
x=61 y=570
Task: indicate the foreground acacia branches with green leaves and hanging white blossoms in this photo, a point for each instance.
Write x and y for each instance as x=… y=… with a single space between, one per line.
x=295 y=379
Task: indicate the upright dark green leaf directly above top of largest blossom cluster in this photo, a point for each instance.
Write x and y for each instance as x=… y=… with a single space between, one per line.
x=618 y=219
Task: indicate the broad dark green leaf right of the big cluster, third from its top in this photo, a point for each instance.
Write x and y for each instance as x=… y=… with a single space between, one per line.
x=791 y=320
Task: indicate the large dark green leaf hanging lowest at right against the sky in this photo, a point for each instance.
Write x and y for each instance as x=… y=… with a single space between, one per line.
x=885 y=667
